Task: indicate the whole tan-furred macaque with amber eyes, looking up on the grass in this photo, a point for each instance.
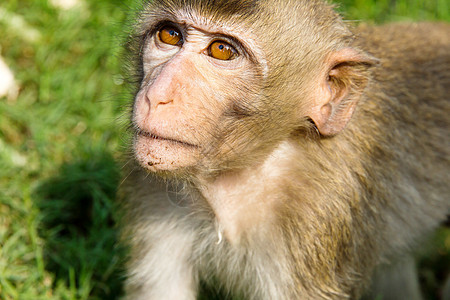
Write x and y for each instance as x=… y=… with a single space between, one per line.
x=281 y=154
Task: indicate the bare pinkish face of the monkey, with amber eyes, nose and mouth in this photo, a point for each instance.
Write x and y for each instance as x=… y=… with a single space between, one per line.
x=198 y=81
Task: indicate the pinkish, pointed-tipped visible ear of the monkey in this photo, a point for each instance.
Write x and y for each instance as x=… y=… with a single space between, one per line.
x=342 y=84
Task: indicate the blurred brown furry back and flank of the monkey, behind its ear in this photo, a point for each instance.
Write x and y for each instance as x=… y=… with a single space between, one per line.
x=408 y=106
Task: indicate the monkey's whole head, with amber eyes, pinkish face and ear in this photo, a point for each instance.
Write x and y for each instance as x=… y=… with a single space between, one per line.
x=222 y=83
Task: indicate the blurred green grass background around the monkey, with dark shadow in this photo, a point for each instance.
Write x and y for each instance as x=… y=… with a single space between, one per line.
x=61 y=135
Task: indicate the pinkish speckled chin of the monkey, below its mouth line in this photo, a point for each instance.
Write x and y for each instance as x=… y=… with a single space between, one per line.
x=160 y=154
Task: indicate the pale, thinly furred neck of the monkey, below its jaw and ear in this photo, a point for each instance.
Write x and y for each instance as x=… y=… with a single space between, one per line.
x=244 y=202
